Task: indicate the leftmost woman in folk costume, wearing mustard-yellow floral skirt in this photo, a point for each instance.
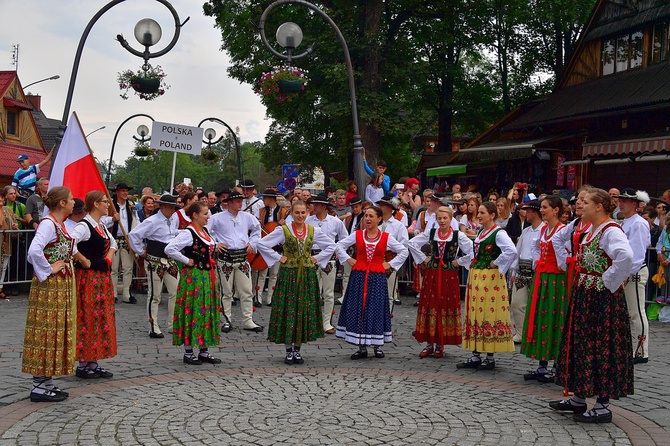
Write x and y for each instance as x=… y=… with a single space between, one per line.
x=49 y=345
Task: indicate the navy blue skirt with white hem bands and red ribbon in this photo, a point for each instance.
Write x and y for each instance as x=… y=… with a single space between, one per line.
x=365 y=321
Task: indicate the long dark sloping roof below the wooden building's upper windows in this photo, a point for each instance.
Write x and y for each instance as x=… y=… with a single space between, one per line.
x=621 y=91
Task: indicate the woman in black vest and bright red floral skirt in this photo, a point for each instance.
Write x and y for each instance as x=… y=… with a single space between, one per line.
x=96 y=324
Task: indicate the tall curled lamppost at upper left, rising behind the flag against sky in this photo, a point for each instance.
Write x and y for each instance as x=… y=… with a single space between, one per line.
x=147 y=32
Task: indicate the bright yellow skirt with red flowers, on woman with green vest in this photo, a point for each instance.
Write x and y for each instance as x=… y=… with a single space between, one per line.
x=488 y=328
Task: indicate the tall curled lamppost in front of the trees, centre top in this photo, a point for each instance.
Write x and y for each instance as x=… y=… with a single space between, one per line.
x=289 y=36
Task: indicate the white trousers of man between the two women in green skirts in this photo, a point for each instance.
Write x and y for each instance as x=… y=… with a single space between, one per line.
x=236 y=277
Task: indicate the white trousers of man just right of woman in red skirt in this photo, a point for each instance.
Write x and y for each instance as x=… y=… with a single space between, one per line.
x=156 y=291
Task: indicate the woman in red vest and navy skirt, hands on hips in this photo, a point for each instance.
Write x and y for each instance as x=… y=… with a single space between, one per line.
x=365 y=317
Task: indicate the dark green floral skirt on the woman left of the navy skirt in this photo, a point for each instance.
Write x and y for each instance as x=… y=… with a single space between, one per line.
x=296 y=314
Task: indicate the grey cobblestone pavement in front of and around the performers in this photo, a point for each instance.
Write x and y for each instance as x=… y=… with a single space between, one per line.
x=254 y=398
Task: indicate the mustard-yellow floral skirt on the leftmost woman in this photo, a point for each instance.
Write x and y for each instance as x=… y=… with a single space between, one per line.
x=49 y=344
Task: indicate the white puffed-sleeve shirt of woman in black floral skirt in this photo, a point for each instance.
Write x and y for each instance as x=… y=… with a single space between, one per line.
x=616 y=246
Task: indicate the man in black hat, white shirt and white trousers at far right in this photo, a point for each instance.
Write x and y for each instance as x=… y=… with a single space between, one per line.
x=639 y=237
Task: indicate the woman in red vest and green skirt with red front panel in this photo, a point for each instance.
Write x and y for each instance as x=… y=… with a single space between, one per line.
x=547 y=298
